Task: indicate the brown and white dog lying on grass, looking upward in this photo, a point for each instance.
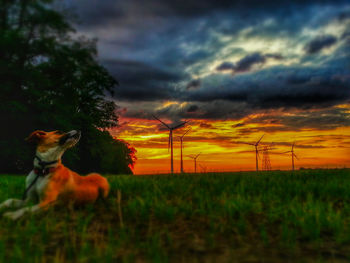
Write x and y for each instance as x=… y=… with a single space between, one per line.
x=50 y=181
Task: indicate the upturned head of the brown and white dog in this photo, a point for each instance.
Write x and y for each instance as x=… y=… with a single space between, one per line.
x=53 y=144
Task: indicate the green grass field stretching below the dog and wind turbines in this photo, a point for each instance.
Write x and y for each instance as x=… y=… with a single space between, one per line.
x=228 y=217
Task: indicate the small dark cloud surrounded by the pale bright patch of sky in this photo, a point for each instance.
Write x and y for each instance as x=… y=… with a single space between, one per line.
x=248 y=62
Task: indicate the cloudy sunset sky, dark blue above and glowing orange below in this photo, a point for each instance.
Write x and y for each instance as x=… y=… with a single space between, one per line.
x=235 y=69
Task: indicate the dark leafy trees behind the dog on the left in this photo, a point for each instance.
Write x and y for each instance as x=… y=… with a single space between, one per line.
x=50 y=80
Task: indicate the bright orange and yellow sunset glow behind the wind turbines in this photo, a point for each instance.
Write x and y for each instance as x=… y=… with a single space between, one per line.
x=222 y=147
